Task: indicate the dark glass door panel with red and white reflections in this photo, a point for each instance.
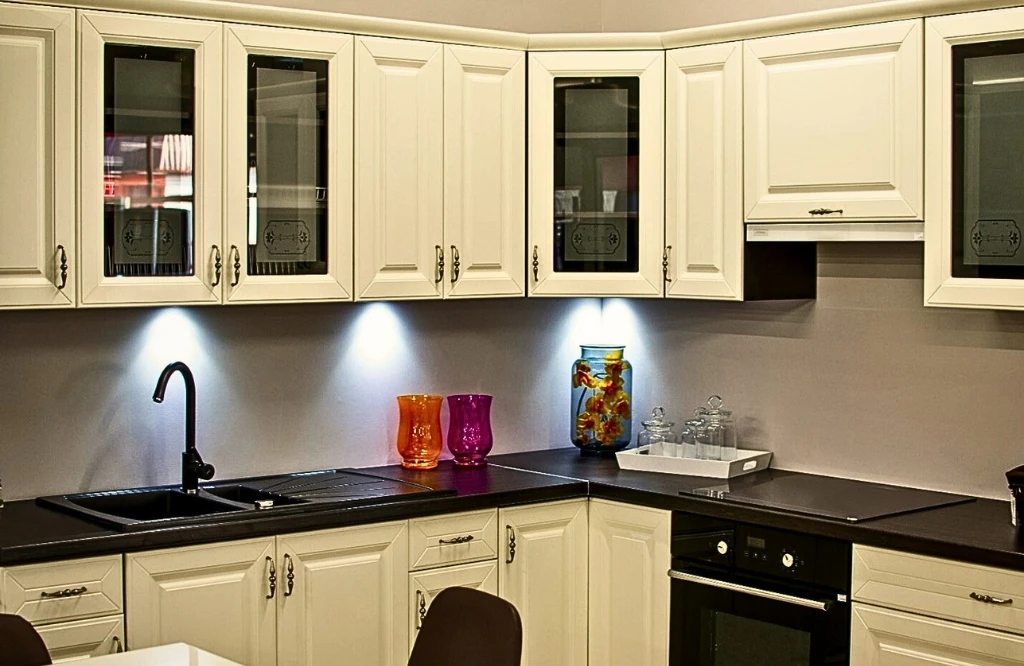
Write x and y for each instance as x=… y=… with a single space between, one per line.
x=149 y=180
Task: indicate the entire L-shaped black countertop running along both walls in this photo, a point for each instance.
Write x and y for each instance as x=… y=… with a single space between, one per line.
x=977 y=532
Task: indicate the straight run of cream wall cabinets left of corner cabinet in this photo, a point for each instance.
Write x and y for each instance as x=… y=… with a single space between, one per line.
x=216 y=163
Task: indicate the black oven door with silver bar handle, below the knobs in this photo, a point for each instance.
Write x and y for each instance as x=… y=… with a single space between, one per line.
x=722 y=620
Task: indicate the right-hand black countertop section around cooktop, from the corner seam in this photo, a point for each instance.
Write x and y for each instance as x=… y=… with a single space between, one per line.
x=978 y=532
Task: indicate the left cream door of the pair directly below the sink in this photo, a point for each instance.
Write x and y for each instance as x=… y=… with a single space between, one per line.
x=217 y=598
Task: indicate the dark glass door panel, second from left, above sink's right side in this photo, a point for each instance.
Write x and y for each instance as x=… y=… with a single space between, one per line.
x=287 y=184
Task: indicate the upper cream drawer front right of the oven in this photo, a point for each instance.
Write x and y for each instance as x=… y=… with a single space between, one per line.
x=942 y=589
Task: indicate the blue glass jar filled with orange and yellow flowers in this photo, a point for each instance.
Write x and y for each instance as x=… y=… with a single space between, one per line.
x=603 y=396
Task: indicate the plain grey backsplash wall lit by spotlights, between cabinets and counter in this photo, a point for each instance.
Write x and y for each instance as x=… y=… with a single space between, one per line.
x=863 y=383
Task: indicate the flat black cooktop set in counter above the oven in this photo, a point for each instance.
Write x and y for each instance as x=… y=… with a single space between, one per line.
x=827 y=497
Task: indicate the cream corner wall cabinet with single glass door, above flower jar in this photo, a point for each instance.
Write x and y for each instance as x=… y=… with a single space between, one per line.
x=598 y=174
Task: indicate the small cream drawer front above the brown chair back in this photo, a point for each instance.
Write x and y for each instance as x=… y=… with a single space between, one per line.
x=453 y=539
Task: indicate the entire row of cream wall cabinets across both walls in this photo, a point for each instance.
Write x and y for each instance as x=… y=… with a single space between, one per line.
x=151 y=160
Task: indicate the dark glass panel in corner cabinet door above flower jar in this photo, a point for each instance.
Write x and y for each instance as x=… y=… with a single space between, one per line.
x=596 y=175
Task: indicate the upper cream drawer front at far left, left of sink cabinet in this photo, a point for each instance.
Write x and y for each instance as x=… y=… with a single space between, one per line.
x=64 y=591
